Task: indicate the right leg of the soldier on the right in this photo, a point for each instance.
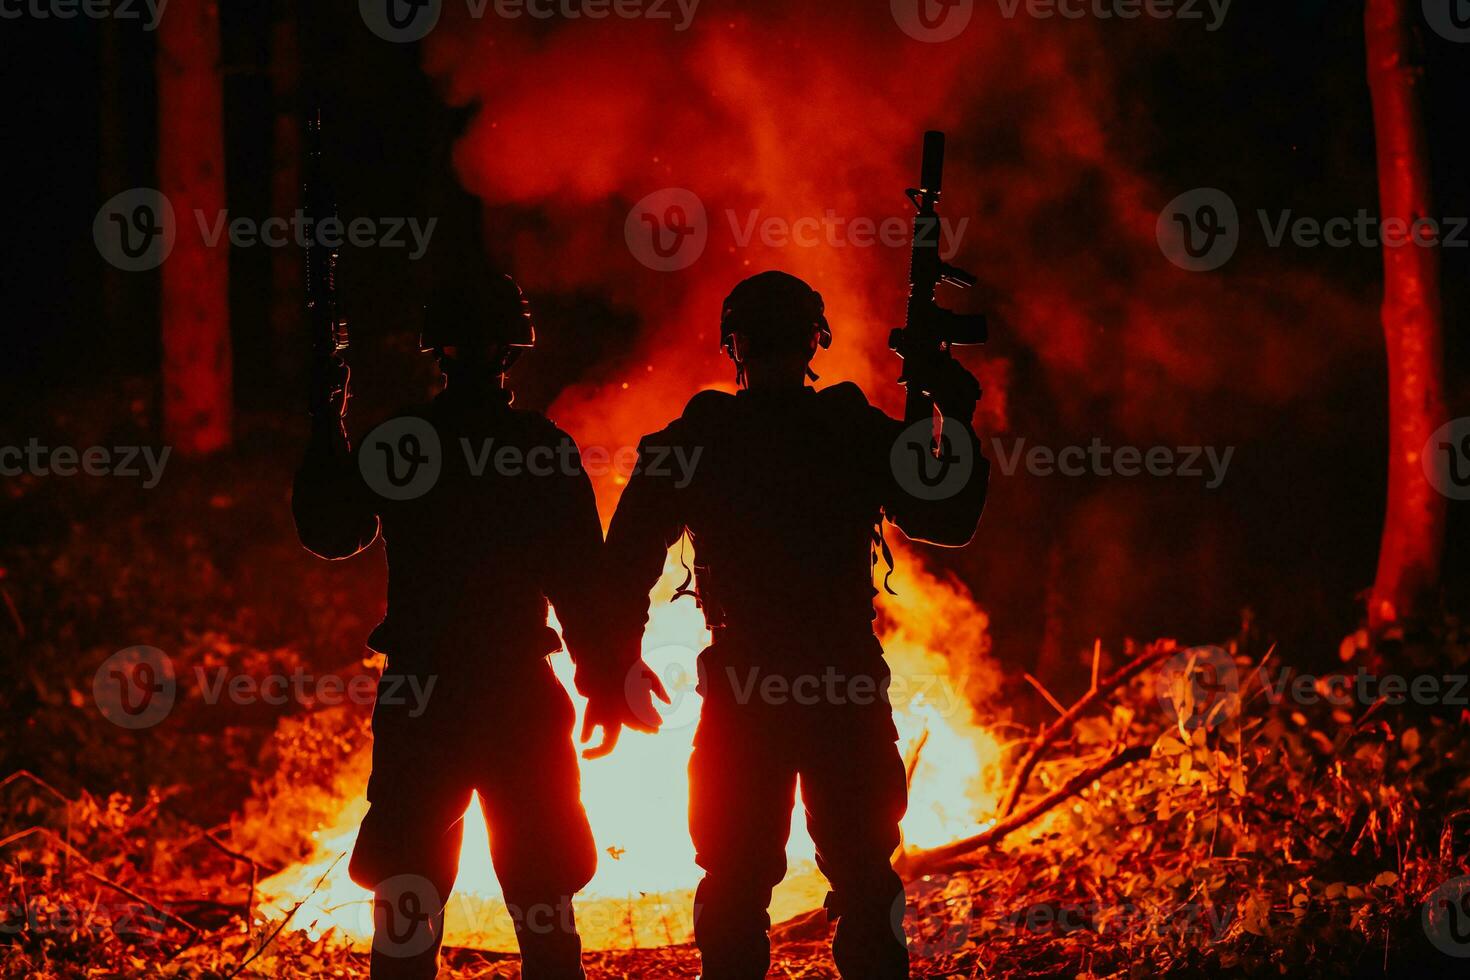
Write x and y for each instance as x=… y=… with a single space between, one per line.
x=856 y=791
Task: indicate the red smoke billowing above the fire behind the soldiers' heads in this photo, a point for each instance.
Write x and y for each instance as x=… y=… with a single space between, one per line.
x=803 y=108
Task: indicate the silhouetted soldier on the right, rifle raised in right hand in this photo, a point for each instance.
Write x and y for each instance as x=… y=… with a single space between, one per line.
x=786 y=512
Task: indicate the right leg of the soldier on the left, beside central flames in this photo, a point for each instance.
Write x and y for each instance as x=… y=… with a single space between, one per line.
x=540 y=840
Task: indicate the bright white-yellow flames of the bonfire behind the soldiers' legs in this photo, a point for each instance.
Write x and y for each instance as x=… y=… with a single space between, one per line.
x=637 y=799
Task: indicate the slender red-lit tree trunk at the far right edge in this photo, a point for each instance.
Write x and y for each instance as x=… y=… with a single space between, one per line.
x=1415 y=521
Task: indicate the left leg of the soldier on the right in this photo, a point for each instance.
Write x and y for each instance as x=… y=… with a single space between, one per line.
x=742 y=794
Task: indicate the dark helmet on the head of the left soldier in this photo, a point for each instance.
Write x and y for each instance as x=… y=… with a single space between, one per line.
x=483 y=311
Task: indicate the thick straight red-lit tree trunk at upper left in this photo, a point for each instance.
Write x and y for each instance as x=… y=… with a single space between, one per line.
x=195 y=302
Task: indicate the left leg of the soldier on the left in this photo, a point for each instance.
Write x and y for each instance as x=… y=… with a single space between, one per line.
x=408 y=847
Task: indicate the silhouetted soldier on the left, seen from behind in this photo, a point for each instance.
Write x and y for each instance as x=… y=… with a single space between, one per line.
x=487 y=515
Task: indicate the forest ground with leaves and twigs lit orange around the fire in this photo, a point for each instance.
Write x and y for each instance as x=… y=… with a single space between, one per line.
x=1275 y=840
